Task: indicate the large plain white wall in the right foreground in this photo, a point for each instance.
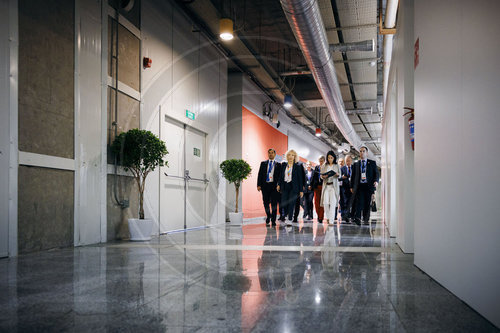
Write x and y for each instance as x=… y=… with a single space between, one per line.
x=457 y=152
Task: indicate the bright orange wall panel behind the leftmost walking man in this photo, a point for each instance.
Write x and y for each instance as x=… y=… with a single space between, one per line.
x=257 y=137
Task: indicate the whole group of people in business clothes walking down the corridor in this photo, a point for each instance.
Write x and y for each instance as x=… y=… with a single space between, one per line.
x=335 y=188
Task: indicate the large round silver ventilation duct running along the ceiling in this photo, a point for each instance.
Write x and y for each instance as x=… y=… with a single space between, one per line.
x=305 y=21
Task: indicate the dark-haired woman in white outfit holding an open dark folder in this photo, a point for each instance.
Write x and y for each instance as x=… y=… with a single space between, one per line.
x=330 y=193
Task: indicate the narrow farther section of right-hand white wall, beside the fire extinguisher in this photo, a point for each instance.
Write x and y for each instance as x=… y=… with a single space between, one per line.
x=398 y=154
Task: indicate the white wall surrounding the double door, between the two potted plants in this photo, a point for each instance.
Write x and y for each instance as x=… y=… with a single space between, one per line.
x=187 y=73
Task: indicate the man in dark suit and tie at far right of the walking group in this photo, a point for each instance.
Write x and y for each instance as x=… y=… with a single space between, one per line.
x=364 y=182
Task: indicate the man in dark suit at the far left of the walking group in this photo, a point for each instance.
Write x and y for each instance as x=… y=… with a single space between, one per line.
x=267 y=180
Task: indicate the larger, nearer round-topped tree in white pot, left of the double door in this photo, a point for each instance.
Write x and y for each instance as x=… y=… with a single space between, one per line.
x=140 y=152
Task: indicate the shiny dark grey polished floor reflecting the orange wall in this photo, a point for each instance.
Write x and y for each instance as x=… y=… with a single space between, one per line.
x=308 y=277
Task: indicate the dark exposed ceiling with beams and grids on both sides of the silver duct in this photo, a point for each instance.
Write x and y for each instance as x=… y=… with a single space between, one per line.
x=266 y=49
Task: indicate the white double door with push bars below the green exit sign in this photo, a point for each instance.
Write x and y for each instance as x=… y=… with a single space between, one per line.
x=183 y=184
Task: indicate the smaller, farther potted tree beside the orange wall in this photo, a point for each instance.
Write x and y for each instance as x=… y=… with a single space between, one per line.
x=235 y=171
